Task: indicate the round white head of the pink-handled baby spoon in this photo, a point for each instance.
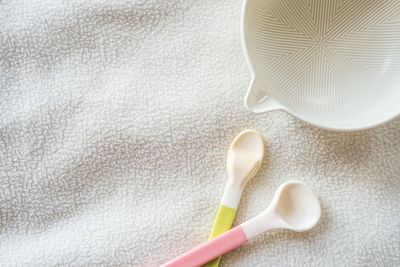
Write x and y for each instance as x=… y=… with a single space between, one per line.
x=297 y=205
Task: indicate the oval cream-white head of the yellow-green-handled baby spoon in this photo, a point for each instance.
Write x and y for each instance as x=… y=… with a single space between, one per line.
x=245 y=156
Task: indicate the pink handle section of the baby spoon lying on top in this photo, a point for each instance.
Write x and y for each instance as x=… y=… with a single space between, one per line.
x=211 y=249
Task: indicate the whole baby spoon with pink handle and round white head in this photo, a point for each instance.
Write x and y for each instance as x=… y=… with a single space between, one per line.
x=293 y=207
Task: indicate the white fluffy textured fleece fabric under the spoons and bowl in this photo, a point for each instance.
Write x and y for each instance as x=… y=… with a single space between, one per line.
x=115 y=121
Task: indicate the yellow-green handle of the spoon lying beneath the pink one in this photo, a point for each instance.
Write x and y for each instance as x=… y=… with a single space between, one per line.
x=222 y=223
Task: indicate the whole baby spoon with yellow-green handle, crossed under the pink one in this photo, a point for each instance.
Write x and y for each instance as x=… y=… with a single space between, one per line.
x=244 y=159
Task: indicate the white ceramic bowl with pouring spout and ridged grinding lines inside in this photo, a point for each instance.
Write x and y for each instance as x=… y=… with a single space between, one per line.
x=334 y=64
